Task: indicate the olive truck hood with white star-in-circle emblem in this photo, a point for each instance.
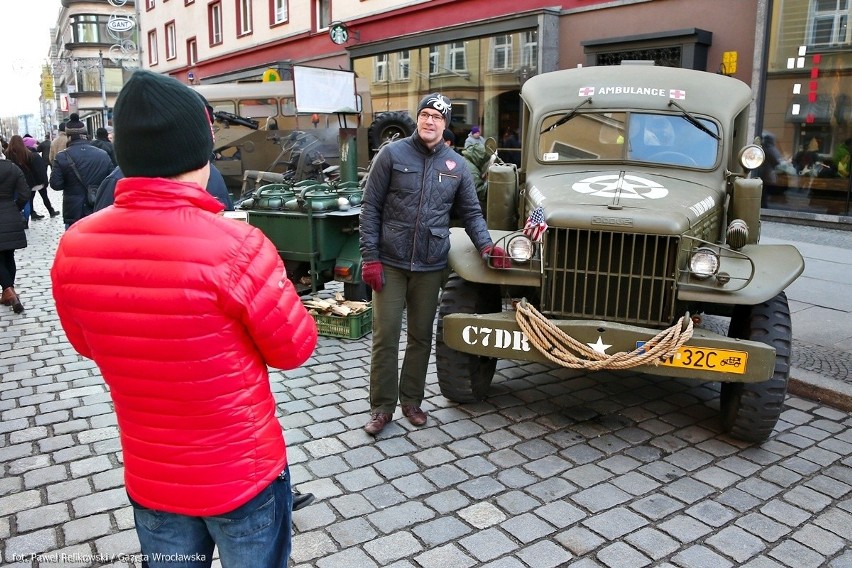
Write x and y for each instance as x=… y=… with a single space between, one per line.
x=624 y=199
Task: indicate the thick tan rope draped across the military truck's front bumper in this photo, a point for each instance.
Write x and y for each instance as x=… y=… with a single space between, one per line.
x=556 y=345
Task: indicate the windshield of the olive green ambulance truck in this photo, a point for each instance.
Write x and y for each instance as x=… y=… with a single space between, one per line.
x=665 y=139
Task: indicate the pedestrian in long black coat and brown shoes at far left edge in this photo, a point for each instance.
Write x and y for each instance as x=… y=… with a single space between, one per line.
x=14 y=195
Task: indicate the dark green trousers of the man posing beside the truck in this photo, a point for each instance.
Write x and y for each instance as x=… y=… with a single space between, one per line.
x=415 y=294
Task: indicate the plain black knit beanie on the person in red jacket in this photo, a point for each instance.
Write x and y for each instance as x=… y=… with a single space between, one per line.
x=161 y=127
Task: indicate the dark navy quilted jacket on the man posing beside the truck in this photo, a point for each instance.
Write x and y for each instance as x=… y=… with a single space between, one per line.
x=405 y=214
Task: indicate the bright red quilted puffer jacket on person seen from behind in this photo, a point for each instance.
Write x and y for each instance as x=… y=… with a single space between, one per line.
x=182 y=310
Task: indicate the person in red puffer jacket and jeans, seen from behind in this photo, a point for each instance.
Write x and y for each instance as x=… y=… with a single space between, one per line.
x=183 y=311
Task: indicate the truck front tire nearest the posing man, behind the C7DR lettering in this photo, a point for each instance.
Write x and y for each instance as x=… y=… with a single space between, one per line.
x=461 y=376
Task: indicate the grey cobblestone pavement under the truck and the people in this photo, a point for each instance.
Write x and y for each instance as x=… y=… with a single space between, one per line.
x=555 y=468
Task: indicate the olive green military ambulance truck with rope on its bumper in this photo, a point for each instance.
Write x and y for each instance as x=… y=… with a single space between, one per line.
x=630 y=219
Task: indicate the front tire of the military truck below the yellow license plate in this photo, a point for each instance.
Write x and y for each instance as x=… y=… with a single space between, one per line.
x=751 y=410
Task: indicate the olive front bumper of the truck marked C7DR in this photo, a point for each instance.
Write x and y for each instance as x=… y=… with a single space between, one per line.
x=498 y=335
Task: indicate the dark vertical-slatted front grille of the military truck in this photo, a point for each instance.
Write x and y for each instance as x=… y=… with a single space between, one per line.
x=627 y=278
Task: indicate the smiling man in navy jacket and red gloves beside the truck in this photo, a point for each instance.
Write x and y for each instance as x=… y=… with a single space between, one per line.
x=413 y=185
